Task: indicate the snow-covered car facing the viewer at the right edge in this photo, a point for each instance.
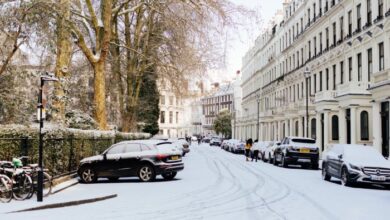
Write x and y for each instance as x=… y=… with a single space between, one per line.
x=356 y=164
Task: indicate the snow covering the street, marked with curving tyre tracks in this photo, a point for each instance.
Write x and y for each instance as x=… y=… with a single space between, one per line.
x=218 y=185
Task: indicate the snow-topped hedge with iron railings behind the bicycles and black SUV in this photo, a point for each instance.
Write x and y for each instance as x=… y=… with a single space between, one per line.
x=63 y=148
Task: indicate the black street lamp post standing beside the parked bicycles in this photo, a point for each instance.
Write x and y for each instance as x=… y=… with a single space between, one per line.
x=46 y=77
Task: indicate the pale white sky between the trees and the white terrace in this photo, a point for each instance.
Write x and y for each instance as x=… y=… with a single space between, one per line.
x=238 y=44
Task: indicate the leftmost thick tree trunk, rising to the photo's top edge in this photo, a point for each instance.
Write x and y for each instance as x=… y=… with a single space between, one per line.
x=62 y=63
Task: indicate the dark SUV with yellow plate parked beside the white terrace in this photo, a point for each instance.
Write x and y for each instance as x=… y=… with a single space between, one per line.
x=297 y=150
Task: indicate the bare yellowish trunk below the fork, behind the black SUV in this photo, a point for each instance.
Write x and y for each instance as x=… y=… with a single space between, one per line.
x=100 y=94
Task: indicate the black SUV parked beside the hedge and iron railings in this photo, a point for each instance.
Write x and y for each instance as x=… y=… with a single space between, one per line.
x=145 y=159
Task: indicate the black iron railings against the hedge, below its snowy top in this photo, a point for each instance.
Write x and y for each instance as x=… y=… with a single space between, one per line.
x=61 y=155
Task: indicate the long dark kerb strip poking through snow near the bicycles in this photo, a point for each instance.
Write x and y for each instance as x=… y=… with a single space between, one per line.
x=66 y=204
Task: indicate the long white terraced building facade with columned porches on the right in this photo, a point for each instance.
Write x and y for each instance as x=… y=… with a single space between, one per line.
x=345 y=45
